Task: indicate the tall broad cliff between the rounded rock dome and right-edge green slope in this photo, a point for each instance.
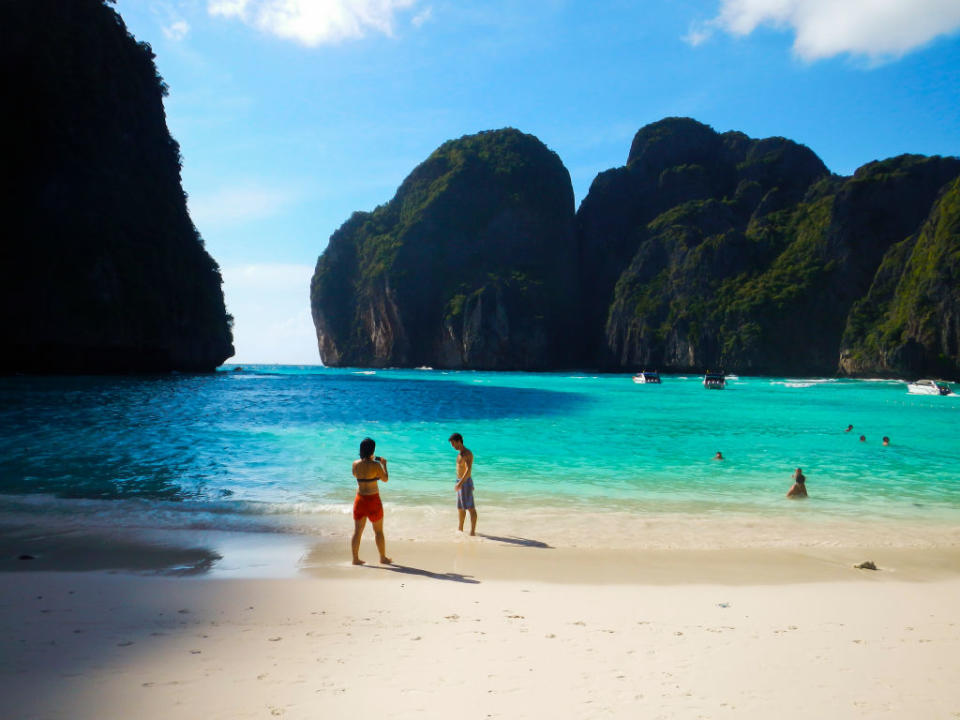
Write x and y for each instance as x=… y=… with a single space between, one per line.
x=712 y=250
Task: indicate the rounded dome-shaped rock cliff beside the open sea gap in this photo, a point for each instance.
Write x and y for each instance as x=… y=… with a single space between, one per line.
x=471 y=264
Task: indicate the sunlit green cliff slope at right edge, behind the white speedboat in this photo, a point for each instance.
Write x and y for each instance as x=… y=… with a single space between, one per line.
x=909 y=321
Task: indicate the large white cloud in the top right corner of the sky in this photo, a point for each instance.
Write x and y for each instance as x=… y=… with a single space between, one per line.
x=876 y=29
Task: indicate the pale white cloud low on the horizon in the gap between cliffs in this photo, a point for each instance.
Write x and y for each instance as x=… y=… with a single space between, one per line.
x=270 y=304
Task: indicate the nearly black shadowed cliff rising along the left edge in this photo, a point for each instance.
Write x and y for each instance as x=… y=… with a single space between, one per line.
x=101 y=268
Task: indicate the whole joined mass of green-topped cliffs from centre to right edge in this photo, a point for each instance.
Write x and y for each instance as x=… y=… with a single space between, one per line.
x=706 y=251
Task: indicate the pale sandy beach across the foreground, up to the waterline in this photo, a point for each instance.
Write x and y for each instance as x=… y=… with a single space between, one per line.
x=490 y=627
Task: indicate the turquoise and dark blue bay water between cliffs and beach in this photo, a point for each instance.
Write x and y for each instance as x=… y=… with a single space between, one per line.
x=234 y=447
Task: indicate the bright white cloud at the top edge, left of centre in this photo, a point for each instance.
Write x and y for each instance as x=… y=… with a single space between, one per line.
x=314 y=22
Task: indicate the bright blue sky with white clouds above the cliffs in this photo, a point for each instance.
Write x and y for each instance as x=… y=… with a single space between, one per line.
x=292 y=114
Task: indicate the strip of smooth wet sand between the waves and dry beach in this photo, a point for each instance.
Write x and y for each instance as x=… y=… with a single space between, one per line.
x=494 y=555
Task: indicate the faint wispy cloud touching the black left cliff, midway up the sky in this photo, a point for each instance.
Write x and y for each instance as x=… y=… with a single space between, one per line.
x=239 y=204
